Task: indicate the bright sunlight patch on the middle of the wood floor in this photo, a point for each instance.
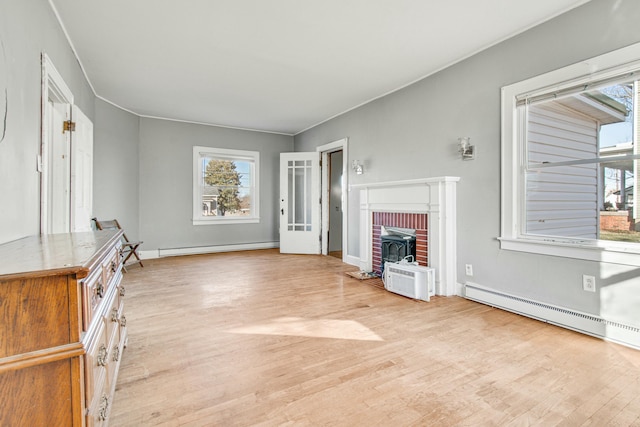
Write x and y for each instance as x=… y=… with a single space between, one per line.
x=317 y=328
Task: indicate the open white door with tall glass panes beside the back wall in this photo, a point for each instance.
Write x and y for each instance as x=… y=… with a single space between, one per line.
x=300 y=203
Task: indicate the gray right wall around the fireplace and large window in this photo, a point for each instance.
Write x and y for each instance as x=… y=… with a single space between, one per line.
x=413 y=133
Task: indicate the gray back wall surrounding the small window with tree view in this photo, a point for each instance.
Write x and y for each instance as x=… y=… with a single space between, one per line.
x=166 y=182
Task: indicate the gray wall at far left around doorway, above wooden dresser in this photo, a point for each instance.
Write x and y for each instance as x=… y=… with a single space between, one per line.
x=27 y=29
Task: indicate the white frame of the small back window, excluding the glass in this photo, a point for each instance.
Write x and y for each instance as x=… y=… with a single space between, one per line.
x=226 y=154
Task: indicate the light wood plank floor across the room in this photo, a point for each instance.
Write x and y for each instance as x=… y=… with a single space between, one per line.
x=259 y=338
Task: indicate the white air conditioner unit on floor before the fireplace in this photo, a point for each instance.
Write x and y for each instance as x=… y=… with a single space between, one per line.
x=413 y=281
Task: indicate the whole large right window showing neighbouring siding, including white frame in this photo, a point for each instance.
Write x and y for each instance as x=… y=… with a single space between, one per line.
x=570 y=161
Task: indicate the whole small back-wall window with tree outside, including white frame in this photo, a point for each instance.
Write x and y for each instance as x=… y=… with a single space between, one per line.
x=225 y=186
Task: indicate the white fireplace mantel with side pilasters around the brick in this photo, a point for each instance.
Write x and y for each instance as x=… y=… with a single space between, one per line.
x=434 y=196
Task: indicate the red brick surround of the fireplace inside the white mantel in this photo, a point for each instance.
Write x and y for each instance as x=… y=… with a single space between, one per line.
x=413 y=221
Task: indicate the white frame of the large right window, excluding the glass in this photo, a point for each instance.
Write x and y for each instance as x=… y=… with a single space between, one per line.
x=513 y=157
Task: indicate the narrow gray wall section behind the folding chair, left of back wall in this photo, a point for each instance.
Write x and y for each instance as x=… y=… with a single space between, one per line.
x=116 y=167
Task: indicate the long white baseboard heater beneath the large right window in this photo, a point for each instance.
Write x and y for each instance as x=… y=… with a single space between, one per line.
x=570 y=319
